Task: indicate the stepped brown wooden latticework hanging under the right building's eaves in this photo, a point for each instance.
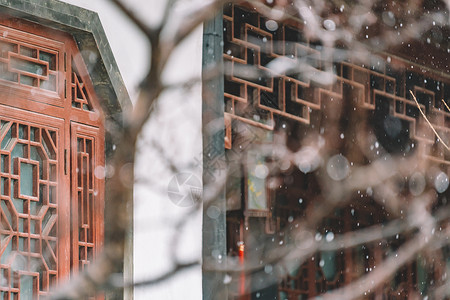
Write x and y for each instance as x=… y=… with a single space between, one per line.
x=255 y=97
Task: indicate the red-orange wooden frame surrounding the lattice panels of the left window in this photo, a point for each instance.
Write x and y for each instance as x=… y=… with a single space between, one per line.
x=57 y=105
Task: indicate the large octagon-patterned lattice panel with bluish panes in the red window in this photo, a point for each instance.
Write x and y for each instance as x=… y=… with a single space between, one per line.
x=29 y=209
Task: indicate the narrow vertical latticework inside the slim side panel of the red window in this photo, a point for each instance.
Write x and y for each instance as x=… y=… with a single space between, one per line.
x=83 y=222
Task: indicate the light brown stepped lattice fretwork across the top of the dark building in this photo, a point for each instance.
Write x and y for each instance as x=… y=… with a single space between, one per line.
x=370 y=81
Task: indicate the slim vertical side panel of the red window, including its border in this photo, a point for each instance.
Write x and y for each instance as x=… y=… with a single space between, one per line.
x=87 y=207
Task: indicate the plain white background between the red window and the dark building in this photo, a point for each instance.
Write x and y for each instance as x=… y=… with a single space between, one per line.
x=176 y=126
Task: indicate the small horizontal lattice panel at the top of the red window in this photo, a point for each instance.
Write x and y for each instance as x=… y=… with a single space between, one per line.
x=30 y=62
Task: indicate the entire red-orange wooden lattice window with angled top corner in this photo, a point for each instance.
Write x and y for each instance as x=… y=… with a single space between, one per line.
x=52 y=159
